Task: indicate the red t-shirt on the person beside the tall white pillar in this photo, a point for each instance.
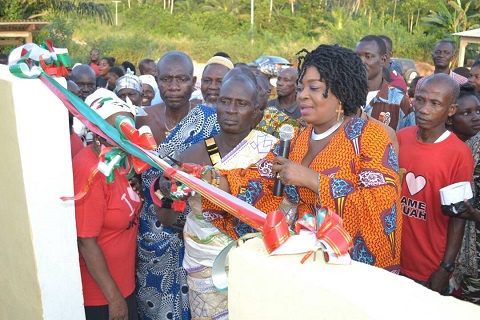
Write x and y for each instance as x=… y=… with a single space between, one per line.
x=109 y=212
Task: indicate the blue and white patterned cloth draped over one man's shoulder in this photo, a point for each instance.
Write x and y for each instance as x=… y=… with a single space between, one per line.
x=162 y=290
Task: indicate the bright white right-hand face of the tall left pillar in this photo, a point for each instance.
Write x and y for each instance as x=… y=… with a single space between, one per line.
x=43 y=135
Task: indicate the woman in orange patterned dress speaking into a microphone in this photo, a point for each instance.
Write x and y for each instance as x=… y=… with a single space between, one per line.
x=339 y=161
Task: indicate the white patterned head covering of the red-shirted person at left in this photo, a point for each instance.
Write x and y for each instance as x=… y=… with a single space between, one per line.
x=105 y=103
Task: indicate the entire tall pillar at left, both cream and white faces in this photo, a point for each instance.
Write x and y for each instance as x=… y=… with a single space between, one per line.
x=40 y=276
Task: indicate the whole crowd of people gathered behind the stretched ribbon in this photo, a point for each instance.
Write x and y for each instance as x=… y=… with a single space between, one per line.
x=366 y=145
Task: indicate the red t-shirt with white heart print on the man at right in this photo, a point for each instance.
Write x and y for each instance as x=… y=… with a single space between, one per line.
x=429 y=167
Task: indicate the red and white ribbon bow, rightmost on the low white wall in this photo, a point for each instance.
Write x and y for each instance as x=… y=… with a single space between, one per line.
x=329 y=230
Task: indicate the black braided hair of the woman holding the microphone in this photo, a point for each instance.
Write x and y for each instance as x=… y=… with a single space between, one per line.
x=341 y=70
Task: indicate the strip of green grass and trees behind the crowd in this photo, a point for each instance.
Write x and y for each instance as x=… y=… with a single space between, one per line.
x=148 y=28
